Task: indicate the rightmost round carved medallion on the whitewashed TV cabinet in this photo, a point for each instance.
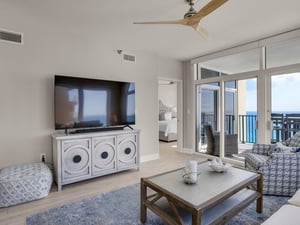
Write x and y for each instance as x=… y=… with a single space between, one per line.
x=126 y=151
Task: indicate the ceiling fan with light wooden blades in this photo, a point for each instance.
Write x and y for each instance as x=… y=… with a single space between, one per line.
x=192 y=17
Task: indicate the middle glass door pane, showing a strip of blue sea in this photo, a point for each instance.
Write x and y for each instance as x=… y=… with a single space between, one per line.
x=240 y=114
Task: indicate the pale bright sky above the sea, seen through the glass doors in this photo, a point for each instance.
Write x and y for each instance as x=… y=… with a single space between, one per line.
x=285 y=93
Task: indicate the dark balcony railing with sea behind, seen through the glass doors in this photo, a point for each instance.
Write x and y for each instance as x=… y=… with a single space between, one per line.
x=284 y=126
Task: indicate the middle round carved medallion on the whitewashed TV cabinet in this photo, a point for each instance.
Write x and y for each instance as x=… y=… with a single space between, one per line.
x=104 y=155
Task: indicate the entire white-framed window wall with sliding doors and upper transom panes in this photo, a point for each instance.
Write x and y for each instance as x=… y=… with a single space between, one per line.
x=242 y=89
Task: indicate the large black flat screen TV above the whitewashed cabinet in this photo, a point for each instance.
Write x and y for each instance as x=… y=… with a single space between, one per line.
x=87 y=103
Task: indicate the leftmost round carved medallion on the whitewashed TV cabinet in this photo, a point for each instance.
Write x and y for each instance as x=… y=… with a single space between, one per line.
x=76 y=158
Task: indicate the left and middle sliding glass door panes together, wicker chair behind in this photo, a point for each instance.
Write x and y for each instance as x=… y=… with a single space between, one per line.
x=240 y=117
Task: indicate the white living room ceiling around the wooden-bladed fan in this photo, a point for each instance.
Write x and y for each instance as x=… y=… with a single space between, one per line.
x=234 y=23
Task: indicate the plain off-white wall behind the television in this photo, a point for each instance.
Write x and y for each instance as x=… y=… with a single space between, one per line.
x=57 y=47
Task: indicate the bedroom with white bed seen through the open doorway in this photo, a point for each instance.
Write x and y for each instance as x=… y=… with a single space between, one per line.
x=168 y=115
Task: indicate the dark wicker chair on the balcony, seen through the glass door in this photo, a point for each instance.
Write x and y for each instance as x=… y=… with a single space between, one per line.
x=213 y=142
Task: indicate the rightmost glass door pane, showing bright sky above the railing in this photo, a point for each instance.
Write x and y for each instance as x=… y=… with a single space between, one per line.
x=285 y=111
